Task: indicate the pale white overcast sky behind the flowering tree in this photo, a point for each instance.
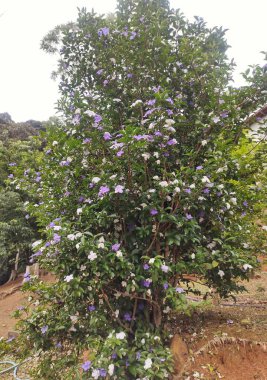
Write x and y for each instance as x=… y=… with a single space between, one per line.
x=26 y=88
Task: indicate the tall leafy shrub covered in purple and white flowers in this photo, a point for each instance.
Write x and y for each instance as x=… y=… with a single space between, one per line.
x=139 y=186
